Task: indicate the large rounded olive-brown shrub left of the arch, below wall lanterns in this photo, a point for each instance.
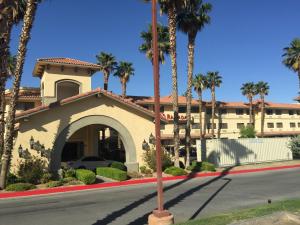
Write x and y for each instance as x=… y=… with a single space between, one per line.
x=31 y=170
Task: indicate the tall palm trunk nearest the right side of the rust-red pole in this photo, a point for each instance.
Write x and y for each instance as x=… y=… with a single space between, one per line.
x=172 y=32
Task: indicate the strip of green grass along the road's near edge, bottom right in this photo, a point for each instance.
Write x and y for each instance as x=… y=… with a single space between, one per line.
x=224 y=219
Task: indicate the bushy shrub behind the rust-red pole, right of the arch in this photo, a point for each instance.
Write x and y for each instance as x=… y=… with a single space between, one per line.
x=150 y=159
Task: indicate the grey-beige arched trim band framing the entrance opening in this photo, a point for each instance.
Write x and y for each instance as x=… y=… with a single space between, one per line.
x=66 y=133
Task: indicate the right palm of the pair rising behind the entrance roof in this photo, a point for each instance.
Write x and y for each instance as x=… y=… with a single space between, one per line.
x=124 y=70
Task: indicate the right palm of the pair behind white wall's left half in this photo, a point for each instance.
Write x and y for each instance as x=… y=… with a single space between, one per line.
x=213 y=80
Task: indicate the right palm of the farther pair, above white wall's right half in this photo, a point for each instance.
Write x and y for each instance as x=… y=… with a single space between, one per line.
x=262 y=88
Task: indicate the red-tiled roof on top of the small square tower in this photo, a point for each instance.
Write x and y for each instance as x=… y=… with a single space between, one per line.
x=42 y=62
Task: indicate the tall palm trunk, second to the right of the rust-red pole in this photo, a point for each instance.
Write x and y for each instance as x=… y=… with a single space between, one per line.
x=191 y=50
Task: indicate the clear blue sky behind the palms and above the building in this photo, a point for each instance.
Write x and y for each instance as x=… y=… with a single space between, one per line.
x=244 y=43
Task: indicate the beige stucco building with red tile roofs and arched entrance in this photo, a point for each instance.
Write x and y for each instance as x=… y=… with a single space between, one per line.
x=71 y=120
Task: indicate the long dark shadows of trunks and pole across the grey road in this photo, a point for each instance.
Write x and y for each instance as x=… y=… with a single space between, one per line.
x=143 y=219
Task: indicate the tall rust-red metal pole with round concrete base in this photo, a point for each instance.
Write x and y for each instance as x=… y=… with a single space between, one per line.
x=159 y=215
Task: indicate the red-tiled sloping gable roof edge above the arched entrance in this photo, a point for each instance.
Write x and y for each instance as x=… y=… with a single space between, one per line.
x=97 y=91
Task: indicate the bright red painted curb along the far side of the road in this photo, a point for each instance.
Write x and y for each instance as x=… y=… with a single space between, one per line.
x=134 y=182
